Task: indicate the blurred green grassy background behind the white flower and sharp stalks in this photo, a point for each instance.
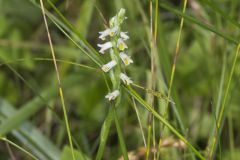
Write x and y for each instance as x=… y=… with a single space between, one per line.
x=30 y=108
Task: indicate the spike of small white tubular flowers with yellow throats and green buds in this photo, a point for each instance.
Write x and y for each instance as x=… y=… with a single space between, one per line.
x=117 y=47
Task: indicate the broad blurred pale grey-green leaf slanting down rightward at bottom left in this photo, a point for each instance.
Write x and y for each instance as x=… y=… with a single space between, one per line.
x=30 y=135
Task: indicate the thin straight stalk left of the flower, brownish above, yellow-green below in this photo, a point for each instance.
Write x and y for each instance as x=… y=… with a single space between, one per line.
x=59 y=81
